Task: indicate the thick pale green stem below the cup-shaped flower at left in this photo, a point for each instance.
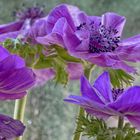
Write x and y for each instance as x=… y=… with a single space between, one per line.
x=19 y=111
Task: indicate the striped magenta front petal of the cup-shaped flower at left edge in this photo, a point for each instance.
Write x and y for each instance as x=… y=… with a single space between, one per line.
x=17 y=81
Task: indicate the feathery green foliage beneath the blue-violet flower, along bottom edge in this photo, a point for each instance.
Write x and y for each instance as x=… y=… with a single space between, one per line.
x=96 y=128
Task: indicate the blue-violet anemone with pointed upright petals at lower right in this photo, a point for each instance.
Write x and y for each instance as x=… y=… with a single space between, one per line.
x=102 y=101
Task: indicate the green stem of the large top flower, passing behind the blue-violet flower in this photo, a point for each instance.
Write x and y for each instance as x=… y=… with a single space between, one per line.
x=77 y=135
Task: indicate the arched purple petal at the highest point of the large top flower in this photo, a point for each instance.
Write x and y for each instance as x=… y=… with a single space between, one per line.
x=59 y=12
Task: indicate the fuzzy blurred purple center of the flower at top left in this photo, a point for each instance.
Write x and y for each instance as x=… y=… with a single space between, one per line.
x=30 y=13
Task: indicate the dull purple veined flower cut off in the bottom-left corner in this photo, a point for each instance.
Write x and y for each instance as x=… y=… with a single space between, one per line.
x=10 y=128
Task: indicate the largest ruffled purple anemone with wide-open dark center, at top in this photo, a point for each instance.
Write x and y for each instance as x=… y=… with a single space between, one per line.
x=95 y=39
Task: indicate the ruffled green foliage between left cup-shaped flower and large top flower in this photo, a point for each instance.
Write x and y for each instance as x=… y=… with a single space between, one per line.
x=56 y=57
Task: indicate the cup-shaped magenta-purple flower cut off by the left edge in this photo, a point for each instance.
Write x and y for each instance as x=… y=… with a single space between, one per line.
x=15 y=77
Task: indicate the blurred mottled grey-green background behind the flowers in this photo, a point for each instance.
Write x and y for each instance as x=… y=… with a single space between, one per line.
x=47 y=116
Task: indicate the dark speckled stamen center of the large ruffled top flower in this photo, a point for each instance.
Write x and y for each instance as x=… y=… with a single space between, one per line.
x=102 y=39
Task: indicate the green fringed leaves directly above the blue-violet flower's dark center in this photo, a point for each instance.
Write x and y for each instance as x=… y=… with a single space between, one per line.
x=119 y=78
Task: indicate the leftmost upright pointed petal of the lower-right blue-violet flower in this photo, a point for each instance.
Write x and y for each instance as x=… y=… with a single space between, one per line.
x=88 y=91
